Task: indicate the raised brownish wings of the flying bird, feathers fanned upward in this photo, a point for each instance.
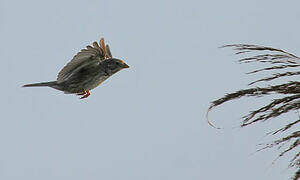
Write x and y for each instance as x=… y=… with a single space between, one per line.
x=95 y=53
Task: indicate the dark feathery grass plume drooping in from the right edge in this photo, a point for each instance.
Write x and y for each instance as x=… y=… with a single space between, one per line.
x=281 y=64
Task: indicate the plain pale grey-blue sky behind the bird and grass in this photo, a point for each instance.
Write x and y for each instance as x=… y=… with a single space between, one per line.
x=148 y=121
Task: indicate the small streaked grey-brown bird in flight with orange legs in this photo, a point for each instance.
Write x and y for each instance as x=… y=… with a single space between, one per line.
x=87 y=70
